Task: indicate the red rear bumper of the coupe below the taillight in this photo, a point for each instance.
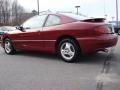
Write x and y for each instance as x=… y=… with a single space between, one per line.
x=94 y=44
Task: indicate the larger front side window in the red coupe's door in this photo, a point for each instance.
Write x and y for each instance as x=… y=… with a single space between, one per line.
x=35 y=22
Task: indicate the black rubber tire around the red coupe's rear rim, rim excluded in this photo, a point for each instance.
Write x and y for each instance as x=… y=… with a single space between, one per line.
x=77 y=51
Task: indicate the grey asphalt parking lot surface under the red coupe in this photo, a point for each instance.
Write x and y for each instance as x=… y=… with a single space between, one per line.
x=38 y=71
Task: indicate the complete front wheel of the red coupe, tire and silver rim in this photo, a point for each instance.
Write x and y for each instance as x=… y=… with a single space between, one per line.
x=8 y=47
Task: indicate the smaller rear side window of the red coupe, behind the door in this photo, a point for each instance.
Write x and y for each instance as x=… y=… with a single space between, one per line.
x=53 y=20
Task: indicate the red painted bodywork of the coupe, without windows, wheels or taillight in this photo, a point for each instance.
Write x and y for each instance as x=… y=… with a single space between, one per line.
x=44 y=39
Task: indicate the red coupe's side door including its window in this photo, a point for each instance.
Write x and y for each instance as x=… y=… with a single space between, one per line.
x=30 y=38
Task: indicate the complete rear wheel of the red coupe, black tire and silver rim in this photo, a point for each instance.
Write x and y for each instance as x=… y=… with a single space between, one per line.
x=68 y=50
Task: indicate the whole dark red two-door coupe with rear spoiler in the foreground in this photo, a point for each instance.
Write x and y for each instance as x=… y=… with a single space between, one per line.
x=67 y=34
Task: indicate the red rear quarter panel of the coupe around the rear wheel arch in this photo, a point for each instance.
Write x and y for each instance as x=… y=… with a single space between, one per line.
x=77 y=30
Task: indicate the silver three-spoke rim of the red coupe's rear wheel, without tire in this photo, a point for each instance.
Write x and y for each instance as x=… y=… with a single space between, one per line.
x=67 y=51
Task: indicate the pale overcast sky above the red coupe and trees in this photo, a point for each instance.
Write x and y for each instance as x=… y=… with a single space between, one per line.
x=94 y=8
